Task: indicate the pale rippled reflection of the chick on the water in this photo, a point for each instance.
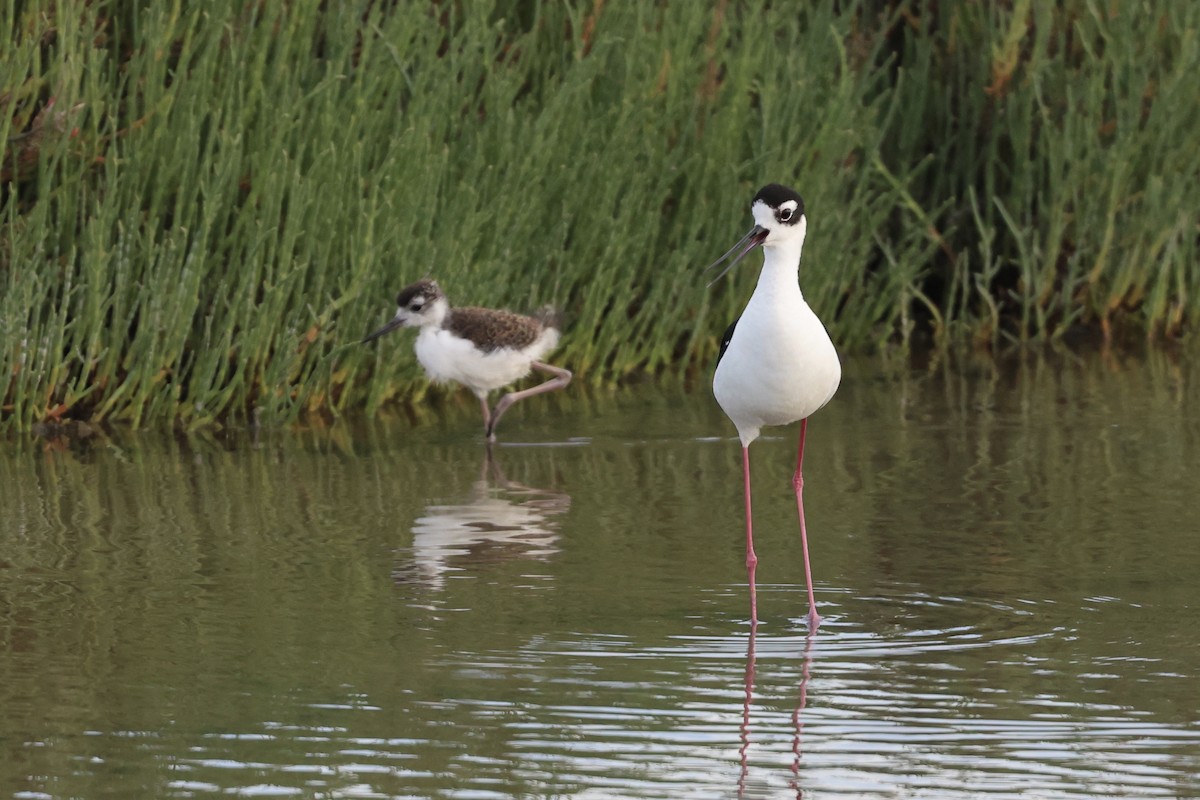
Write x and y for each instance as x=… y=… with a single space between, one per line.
x=500 y=521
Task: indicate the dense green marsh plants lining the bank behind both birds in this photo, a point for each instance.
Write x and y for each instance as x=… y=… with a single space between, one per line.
x=220 y=202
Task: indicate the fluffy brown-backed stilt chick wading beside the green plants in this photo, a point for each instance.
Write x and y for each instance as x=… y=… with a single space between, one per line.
x=481 y=348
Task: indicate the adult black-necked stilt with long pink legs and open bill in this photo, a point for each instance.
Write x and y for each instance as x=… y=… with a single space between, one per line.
x=777 y=363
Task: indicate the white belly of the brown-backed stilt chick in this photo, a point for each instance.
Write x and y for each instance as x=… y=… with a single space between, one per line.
x=448 y=358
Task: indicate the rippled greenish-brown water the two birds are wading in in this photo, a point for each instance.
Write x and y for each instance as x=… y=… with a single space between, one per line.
x=1007 y=560
